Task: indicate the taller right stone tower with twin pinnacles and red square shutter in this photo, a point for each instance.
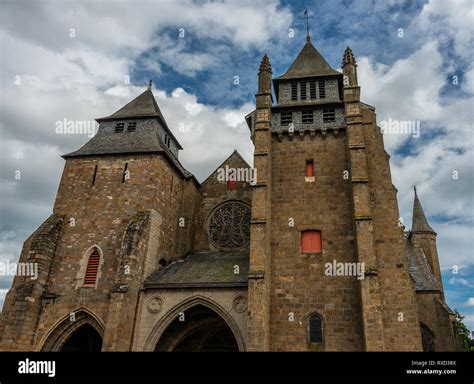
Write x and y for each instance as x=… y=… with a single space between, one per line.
x=324 y=206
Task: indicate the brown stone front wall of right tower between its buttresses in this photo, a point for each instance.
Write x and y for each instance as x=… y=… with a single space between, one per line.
x=299 y=285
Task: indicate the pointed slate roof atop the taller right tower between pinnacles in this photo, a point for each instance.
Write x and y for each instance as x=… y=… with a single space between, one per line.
x=308 y=63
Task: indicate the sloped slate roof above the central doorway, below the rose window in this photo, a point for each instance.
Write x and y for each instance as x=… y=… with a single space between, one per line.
x=208 y=269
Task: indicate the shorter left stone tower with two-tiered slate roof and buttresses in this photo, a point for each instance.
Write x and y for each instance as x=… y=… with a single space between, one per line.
x=117 y=206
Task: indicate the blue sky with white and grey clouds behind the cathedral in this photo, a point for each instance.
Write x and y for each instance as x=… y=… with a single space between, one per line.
x=79 y=60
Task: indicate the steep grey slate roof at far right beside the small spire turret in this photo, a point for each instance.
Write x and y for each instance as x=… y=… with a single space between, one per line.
x=419 y=269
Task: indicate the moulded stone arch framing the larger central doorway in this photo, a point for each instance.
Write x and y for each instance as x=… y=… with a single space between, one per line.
x=159 y=329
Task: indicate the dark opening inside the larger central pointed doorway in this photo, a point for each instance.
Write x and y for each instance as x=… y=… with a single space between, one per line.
x=198 y=329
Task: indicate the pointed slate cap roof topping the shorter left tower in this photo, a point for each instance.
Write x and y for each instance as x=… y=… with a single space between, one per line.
x=143 y=105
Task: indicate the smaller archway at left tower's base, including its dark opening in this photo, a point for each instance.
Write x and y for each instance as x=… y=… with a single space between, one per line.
x=82 y=332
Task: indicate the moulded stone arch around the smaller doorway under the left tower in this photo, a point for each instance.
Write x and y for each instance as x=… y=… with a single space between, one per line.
x=64 y=328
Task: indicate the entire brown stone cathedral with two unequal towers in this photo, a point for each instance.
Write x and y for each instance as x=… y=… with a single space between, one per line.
x=302 y=252
